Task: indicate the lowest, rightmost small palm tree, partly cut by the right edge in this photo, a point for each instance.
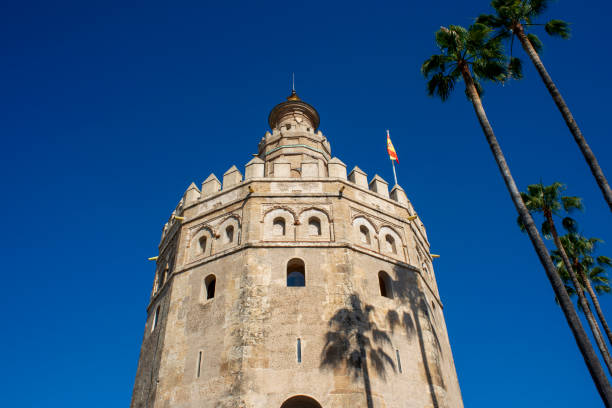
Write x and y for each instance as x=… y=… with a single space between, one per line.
x=591 y=270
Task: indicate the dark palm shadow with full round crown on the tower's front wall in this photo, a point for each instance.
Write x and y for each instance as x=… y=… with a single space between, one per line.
x=355 y=342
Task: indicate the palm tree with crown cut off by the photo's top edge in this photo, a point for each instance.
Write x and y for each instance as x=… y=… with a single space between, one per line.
x=511 y=20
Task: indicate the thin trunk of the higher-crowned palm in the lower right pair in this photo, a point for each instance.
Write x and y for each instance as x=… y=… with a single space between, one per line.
x=586 y=307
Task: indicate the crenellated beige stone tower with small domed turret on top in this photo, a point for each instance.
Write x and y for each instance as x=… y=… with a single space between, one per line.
x=295 y=286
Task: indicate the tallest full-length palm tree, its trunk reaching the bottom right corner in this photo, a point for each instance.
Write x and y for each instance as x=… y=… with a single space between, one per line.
x=472 y=54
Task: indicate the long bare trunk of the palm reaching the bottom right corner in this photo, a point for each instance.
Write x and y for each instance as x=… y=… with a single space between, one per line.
x=582 y=340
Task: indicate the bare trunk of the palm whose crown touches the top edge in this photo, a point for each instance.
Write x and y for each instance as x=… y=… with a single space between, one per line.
x=588 y=154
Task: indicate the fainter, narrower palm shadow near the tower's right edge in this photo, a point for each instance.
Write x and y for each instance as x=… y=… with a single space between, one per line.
x=417 y=323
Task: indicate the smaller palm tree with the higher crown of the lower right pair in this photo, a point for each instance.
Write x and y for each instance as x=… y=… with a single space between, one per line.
x=549 y=201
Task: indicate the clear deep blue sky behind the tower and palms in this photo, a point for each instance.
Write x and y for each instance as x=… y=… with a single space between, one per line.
x=108 y=110
